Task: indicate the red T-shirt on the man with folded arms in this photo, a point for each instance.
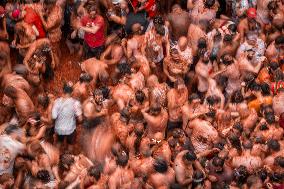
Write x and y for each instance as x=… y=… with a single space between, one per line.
x=97 y=39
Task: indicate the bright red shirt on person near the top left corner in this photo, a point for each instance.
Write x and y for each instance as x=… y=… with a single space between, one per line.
x=33 y=18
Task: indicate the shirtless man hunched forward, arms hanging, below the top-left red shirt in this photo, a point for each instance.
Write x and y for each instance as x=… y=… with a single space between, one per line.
x=40 y=61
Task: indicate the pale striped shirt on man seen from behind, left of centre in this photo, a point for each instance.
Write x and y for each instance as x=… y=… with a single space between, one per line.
x=64 y=112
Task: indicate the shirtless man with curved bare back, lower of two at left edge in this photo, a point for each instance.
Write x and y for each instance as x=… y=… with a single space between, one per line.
x=23 y=104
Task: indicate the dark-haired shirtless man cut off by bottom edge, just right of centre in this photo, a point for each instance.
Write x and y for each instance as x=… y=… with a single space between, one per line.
x=163 y=176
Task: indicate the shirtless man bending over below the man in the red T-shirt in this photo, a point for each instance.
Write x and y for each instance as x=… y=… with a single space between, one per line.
x=95 y=68
